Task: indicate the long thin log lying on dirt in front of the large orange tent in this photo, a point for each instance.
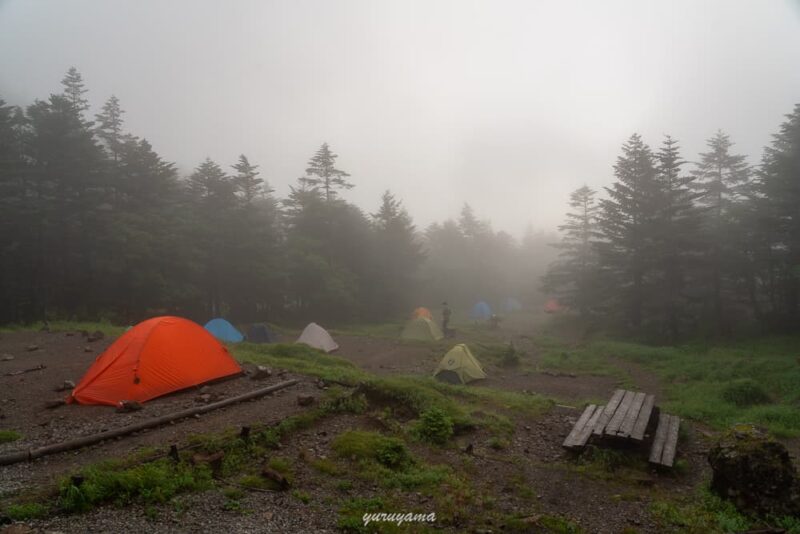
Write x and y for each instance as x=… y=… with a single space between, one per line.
x=32 y=454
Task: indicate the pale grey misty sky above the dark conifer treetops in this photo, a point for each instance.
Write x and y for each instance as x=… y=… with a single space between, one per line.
x=507 y=105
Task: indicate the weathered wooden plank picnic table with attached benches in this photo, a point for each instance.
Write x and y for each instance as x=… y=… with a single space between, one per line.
x=629 y=417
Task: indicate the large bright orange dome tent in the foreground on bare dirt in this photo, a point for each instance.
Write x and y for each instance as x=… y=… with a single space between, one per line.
x=155 y=357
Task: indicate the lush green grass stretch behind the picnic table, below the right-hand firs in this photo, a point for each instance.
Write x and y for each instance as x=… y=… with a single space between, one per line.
x=752 y=381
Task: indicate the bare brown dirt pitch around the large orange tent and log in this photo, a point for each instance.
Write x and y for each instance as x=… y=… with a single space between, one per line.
x=22 y=400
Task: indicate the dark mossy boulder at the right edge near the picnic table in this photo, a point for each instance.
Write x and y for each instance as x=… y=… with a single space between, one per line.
x=755 y=472
